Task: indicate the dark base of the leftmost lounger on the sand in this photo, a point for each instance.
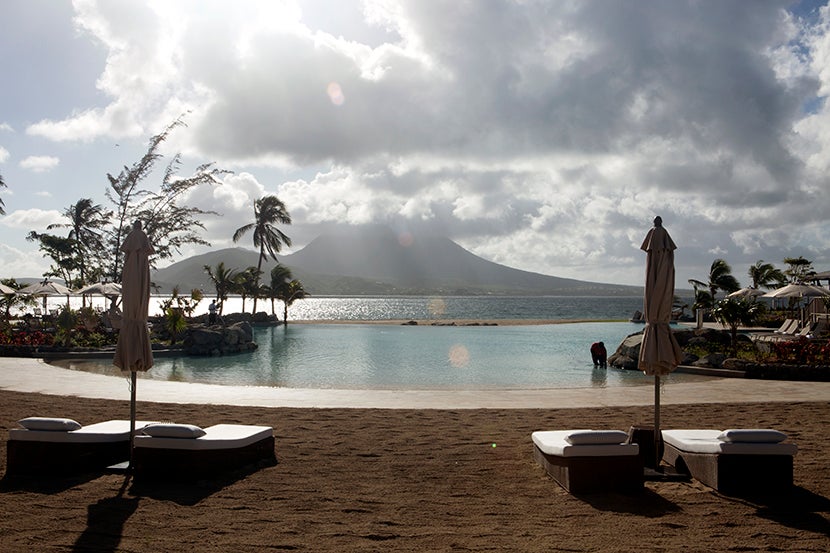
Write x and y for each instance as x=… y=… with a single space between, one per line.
x=61 y=458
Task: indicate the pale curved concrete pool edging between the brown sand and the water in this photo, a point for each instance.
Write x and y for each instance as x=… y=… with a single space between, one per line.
x=36 y=376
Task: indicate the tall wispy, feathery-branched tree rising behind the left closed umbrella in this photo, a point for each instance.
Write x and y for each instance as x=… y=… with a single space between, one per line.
x=168 y=224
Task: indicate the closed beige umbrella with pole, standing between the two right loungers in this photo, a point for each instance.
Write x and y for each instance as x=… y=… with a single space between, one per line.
x=659 y=353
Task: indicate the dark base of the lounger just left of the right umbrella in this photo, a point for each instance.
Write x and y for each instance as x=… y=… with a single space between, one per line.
x=594 y=474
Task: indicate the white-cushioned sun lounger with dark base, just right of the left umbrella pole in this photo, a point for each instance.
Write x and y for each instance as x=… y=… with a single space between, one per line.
x=189 y=452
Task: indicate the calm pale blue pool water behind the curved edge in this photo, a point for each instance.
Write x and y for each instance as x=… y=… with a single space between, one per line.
x=388 y=356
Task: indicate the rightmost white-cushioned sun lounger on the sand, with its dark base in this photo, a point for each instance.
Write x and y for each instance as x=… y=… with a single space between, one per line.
x=732 y=461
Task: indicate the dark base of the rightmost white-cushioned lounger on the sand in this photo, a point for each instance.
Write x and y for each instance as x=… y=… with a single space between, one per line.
x=734 y=474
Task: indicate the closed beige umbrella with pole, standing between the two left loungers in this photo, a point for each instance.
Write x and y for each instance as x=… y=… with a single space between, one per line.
x=133 y=352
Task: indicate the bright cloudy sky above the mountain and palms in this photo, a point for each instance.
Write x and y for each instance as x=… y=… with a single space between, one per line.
x=543 y=135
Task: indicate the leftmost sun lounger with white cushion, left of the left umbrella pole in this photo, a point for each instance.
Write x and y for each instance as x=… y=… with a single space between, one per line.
x=62 y=446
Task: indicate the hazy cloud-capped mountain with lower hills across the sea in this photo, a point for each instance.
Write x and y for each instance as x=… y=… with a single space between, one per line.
x=375 y=261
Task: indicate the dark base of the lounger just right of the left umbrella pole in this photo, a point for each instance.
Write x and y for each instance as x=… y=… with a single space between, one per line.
x=184 y=464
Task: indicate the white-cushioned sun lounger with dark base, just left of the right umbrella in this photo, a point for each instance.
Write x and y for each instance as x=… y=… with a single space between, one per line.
x=584 y=461
